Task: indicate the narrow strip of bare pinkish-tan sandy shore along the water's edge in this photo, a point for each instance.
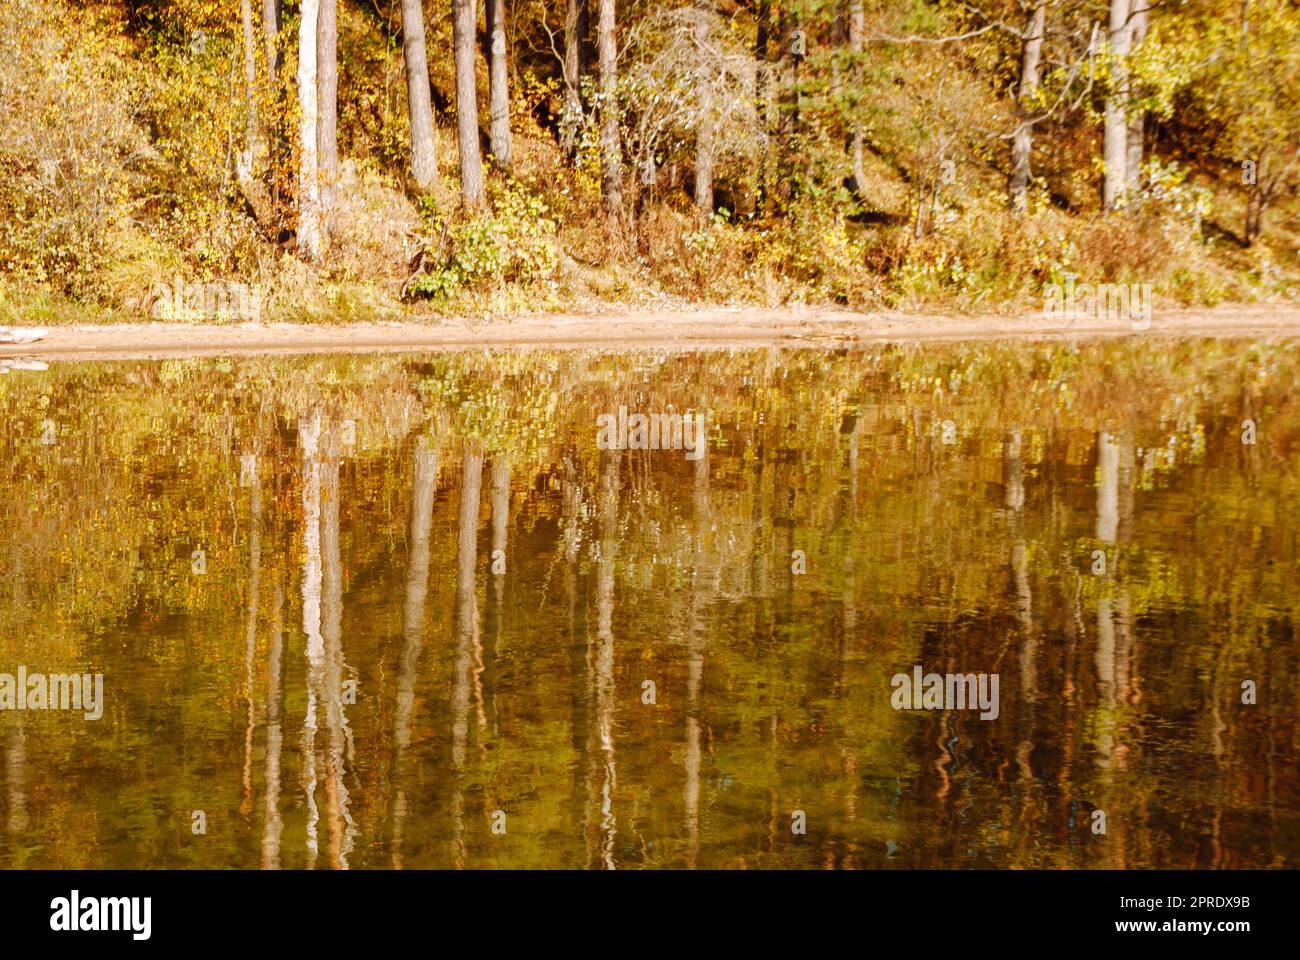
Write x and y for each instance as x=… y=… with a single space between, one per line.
x=696 y=328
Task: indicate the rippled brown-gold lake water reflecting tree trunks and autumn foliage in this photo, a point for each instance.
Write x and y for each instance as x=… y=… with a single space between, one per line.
x=405 y=612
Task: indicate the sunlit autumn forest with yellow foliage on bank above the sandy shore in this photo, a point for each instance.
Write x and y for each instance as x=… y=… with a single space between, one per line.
x=359 y=159
